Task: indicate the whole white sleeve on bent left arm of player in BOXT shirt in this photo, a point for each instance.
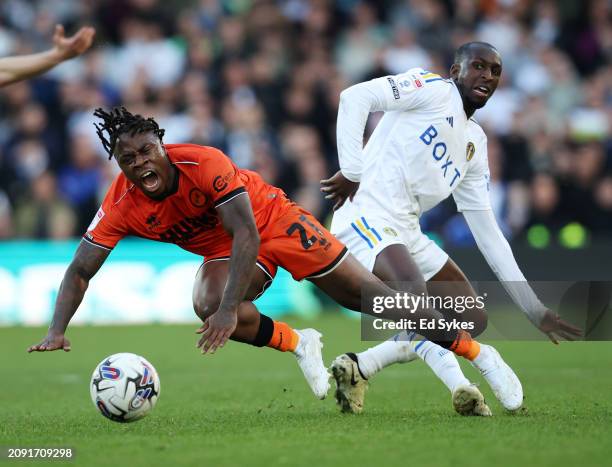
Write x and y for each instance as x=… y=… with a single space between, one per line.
x=415 y=89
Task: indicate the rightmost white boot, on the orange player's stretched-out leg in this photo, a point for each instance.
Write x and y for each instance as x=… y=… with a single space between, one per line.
x=503 y=381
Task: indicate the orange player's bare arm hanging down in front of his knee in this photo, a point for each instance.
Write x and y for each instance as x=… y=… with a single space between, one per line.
x=238 y=220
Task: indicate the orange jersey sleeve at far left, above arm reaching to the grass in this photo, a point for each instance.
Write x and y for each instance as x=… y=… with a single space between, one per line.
x=108 y=226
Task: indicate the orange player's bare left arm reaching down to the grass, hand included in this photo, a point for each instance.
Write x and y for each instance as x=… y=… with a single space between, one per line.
x=86 y=262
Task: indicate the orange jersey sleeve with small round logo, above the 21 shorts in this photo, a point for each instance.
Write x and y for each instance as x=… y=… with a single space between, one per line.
x=221 y=180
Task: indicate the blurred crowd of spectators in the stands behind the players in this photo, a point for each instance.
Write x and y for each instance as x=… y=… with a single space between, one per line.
x=260 y=79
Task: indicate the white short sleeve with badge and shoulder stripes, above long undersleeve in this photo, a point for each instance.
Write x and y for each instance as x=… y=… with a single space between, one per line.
x=414 y=89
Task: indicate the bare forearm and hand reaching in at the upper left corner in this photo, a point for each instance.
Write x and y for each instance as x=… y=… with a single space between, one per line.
x=13 y=69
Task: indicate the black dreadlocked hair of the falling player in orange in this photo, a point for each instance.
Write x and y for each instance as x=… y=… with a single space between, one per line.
x=119 y=121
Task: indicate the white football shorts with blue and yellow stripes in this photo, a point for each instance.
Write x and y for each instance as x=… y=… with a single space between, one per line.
x=368 y=234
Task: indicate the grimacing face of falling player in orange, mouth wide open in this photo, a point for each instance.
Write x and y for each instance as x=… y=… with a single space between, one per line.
x=143 y=160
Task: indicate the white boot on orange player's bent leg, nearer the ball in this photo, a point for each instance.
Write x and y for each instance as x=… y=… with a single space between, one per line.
x=308 y=355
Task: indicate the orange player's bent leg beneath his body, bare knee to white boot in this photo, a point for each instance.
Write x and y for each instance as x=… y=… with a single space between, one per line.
x=260 y=330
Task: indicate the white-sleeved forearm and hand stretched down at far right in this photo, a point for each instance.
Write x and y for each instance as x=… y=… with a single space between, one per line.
x=496 y=250
